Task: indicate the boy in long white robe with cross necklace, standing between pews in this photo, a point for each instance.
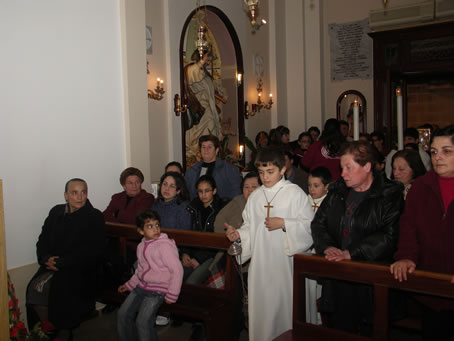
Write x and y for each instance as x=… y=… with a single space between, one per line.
x=276 y=226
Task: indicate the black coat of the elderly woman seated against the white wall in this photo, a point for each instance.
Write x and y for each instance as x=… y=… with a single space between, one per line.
x=77 y=239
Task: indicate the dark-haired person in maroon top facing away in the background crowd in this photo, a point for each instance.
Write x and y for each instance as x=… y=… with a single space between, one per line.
x=325 y=152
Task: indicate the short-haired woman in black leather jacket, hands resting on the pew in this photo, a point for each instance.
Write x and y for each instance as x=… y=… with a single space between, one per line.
x=358 y=220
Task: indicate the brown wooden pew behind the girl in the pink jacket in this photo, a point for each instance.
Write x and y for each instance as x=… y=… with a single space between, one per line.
x=215 y=307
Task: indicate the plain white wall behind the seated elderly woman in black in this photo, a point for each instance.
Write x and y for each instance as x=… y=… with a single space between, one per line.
x=61 y=110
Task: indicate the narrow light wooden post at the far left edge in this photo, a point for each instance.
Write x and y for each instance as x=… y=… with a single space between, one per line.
x=4 y=315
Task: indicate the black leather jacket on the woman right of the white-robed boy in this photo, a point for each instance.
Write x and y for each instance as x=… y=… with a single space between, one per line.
x=374 y=226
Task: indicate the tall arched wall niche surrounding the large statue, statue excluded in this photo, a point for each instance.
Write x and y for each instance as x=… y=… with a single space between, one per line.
x=228 y=63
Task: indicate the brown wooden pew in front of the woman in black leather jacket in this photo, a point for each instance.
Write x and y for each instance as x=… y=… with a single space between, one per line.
x=378 y=276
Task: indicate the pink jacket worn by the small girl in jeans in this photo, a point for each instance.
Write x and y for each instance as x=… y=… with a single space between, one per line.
x=158 y=268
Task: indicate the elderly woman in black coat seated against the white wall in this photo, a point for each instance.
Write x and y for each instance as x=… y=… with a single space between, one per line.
x=68 y=251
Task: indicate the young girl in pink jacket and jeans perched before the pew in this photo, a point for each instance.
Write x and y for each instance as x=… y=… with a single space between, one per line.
x=158 y=278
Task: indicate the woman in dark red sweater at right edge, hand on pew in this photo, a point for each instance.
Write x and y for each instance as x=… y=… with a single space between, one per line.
x=427 y=235
